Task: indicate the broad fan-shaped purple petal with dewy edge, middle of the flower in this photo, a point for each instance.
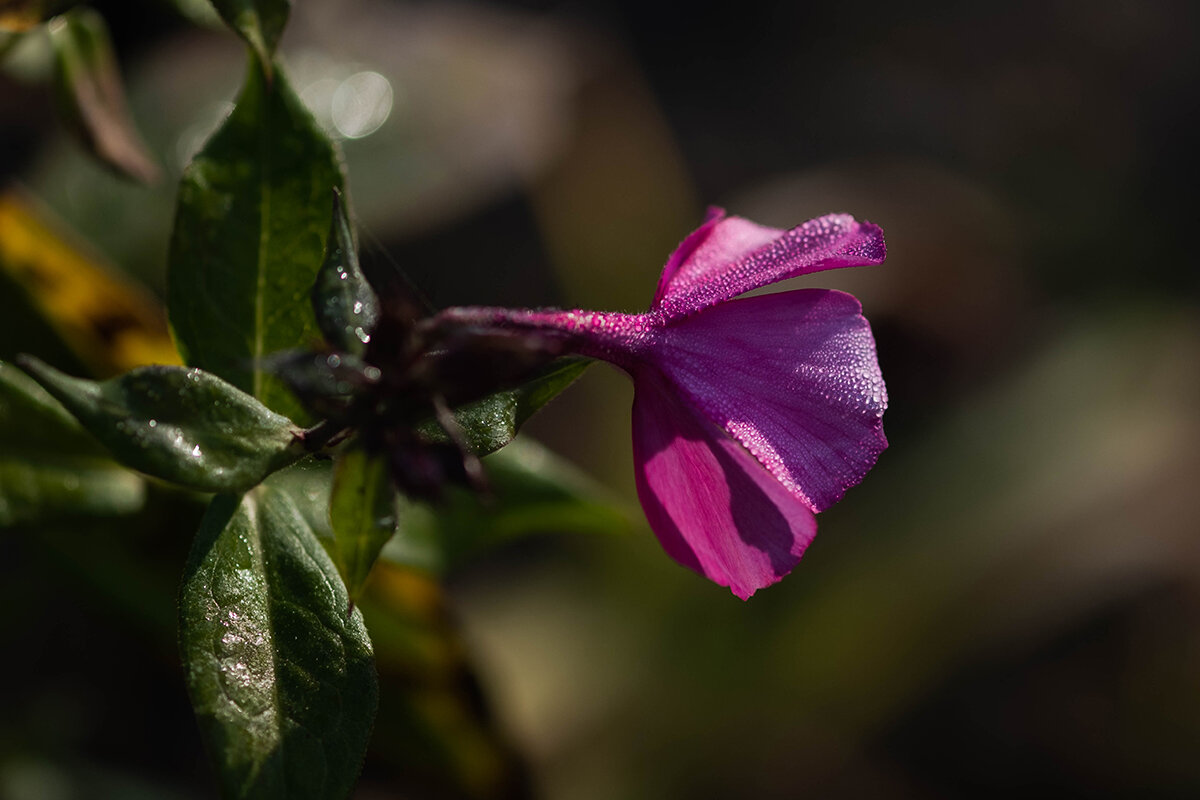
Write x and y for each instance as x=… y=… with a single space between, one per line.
x=791 y=376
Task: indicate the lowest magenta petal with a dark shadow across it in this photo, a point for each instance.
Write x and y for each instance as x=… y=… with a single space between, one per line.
x=712 y=506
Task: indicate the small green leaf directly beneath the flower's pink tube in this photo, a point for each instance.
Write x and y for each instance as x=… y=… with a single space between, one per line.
x=493 y=423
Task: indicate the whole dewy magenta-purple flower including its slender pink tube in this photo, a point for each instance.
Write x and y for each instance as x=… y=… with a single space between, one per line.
x=749 y=416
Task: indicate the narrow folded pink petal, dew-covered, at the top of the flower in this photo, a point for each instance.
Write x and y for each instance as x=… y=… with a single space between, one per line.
x=731 y=256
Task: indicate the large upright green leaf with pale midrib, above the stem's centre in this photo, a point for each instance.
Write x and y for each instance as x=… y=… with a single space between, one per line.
x=249 y=240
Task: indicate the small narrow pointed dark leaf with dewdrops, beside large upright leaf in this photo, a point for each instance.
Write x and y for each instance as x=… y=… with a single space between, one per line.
x=343 y=300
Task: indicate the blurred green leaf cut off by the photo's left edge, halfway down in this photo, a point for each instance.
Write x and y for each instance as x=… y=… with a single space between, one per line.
x=50 y=467
